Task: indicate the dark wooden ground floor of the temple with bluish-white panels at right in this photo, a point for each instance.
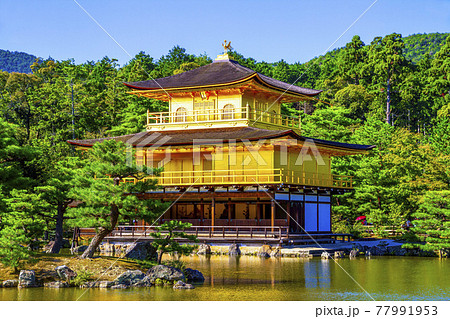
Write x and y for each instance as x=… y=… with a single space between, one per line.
x=297 y=213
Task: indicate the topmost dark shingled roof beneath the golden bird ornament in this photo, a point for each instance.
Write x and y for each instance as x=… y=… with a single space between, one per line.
x=216 y=73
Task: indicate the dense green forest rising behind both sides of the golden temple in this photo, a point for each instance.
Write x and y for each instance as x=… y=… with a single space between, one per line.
x=372 y=94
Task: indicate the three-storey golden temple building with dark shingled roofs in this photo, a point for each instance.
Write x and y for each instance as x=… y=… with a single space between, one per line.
x=237 y=161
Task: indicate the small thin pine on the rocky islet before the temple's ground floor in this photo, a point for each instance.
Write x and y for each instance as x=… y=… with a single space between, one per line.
x=166 y=235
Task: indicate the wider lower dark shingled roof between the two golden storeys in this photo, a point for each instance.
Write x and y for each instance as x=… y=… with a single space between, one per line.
x=212 y=136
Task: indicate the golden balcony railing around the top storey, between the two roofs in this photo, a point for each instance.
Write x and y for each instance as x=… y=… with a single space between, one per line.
x=221 y=116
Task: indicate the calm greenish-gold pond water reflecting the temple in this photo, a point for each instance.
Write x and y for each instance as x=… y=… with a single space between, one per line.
x=254 y=278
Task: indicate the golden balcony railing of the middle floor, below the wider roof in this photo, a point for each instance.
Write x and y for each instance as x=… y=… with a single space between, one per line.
x=250 y=177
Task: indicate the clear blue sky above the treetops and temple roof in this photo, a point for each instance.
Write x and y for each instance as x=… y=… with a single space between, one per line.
x=265 y=30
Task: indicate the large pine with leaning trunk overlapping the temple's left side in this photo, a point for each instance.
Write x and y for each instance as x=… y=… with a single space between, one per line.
x=105 y=197
